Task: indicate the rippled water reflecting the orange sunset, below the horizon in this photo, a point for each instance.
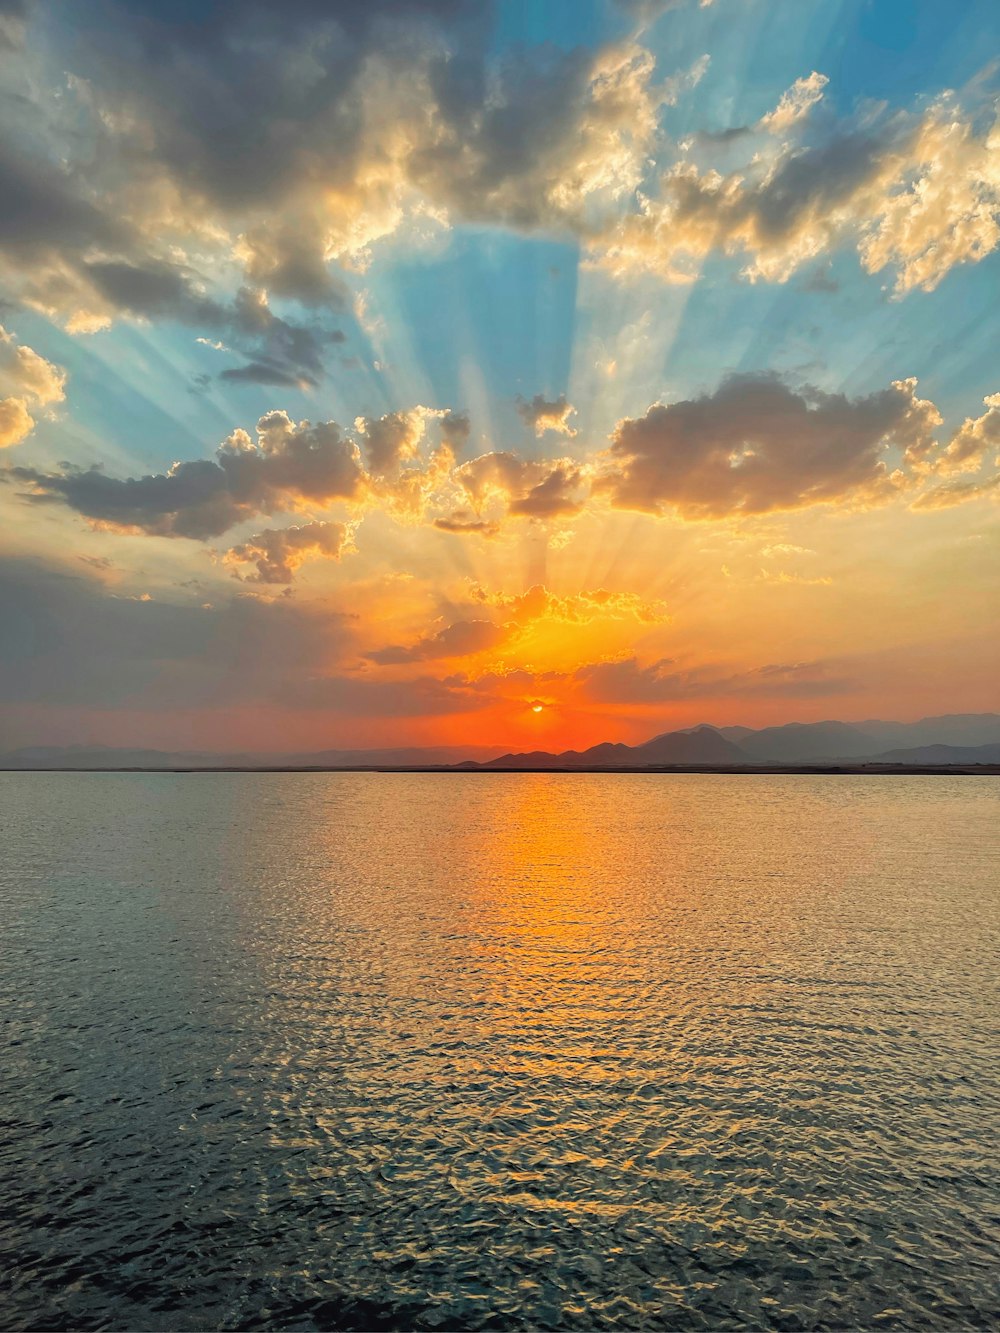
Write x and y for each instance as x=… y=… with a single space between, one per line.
x=551 y=1051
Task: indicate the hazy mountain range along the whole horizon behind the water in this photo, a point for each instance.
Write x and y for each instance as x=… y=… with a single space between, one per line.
x=955 y=739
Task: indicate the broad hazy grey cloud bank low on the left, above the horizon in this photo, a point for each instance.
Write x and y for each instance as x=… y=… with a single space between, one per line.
x=71 y=646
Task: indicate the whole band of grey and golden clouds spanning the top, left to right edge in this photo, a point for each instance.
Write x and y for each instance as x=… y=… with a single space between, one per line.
x=274 y=155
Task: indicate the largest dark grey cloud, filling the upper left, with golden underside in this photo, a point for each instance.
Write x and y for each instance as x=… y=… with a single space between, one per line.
x=291 y=147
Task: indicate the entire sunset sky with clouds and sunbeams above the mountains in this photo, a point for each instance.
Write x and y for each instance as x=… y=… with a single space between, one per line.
x=519 y=375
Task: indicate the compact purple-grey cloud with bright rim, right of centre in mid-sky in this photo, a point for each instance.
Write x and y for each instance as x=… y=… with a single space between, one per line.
x=757 y=446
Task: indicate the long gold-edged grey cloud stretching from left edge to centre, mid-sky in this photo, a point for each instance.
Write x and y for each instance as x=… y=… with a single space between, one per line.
x=391 y=463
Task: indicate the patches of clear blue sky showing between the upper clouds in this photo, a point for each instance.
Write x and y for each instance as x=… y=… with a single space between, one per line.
x=509 y=305
